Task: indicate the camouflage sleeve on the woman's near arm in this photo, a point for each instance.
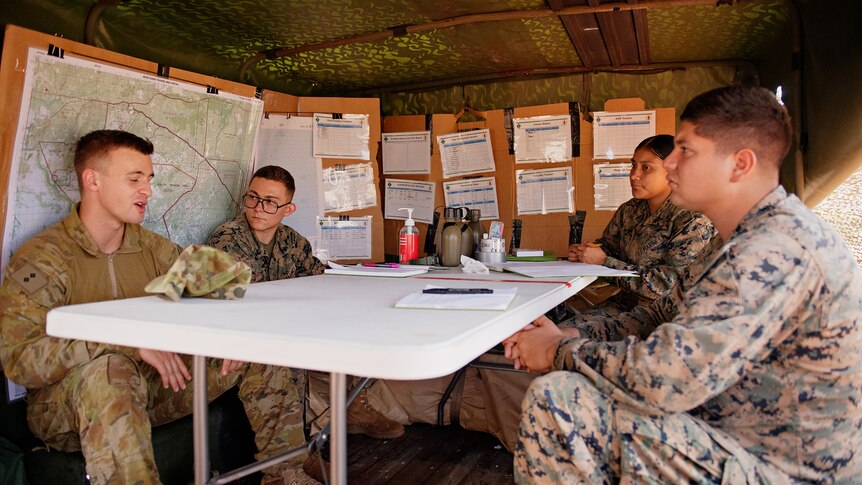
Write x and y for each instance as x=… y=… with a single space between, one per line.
x=654 y=280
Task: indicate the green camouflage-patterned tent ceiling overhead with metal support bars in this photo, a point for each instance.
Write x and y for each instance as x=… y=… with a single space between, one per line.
x=502 y=39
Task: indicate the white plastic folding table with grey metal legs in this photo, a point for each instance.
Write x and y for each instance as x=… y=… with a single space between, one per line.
x=338 y=324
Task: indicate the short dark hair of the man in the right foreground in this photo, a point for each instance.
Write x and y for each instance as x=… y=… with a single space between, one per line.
x=737 y=117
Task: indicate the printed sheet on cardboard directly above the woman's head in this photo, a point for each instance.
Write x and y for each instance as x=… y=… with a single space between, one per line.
x=616 y=134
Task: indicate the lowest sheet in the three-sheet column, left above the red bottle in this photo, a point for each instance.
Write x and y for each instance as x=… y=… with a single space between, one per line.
x=345 y=239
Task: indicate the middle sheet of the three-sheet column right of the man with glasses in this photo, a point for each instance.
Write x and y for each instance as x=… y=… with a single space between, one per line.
x=348 y=187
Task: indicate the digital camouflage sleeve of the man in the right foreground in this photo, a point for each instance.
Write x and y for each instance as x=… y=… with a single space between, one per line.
x=733 y=315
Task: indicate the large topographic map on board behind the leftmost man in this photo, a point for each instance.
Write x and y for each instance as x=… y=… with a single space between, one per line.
x=203 y=145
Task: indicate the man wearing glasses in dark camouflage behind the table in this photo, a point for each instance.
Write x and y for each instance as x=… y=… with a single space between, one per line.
x=257 y=236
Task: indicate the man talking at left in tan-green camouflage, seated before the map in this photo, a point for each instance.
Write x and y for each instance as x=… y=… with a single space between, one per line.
x=103 y=399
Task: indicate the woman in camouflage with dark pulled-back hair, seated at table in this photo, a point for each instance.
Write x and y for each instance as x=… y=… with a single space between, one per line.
x=648 y=235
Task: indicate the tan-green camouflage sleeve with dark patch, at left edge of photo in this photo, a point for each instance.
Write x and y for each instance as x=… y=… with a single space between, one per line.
x=30 y=357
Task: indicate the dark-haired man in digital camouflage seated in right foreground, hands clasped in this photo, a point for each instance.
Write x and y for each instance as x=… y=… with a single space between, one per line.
x=748 y=372
